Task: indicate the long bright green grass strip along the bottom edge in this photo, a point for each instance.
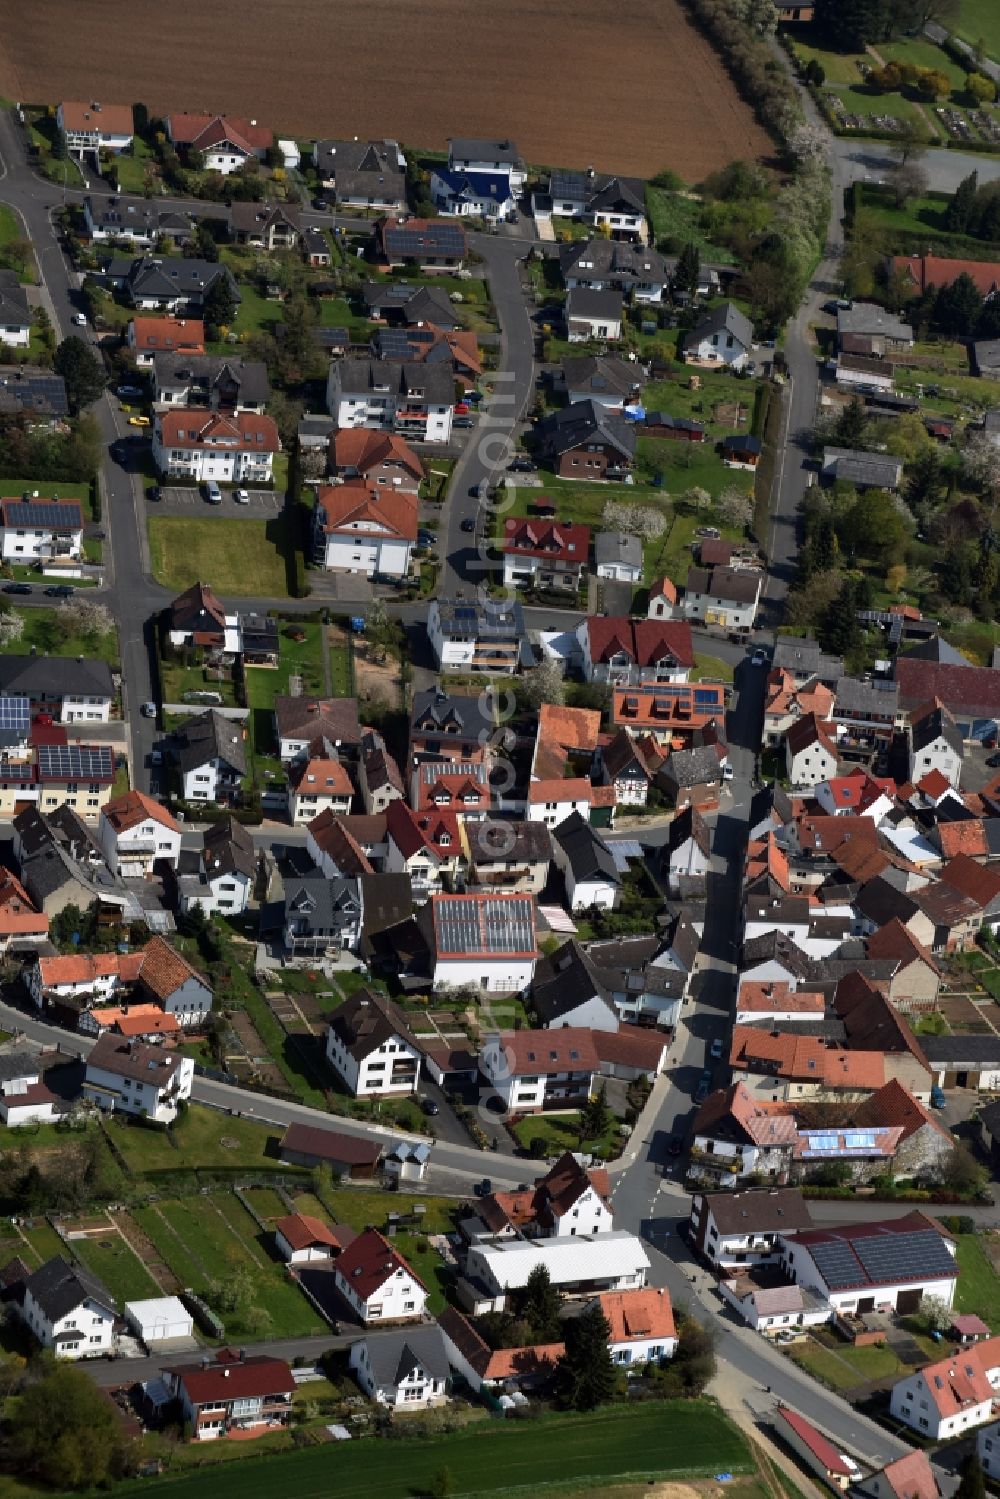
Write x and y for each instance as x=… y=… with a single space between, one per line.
x=659 y=1440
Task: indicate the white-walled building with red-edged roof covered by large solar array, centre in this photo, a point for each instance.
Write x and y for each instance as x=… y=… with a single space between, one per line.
x=481 y=942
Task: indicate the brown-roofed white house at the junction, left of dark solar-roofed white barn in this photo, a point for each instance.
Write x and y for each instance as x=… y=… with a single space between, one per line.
x=735 y=1230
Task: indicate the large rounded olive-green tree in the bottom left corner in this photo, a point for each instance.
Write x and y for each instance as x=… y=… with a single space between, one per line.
x=67 y=1434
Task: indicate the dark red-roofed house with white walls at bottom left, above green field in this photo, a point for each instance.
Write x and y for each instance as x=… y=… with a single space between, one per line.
x=233 y=1395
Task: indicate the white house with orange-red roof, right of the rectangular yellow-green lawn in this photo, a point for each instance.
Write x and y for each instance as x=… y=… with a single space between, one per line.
x=362 y=528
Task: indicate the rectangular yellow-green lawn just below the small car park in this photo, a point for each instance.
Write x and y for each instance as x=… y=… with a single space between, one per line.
x=241 y=557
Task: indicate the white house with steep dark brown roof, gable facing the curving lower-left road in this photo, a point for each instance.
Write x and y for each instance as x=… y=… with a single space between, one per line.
x=370 y=1046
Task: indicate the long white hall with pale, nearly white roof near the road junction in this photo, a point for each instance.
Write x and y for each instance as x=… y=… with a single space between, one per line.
x=599 y=1263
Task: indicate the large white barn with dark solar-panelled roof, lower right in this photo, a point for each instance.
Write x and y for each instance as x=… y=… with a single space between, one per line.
x=869 y=1267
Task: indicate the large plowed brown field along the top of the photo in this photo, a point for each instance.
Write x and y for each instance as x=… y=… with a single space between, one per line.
x=621 y=88
